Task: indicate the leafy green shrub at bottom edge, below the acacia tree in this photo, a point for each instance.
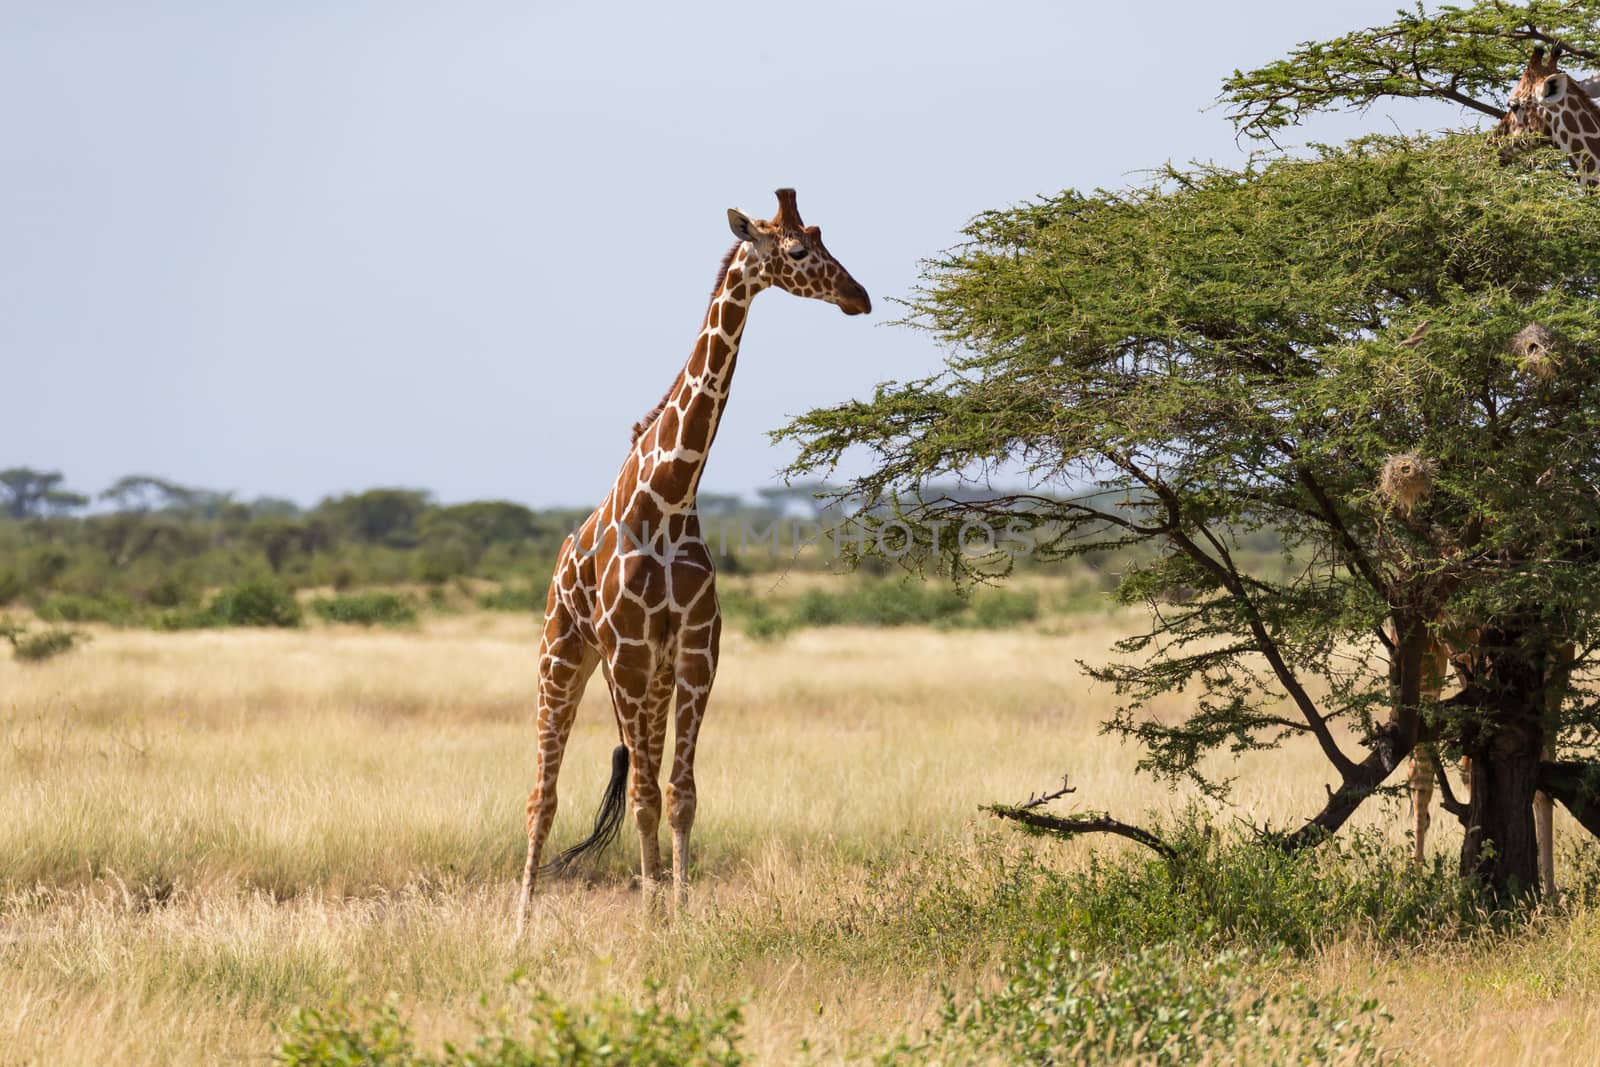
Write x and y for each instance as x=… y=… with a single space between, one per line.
x=1154 y=1007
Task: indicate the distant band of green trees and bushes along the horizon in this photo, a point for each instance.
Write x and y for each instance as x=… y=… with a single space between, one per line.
x=153 y=553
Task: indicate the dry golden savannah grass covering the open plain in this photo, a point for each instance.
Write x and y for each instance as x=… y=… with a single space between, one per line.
x=202 y=831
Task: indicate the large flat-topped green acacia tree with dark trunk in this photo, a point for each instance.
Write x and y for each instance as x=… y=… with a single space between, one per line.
x=1218 y=354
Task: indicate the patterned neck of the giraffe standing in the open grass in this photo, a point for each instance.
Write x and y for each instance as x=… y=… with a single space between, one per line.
x=671 y=454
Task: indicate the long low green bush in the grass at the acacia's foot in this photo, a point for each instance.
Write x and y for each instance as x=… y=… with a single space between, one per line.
x=1226 y=890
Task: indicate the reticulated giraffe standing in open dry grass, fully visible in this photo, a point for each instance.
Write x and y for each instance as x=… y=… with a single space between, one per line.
x=634 y=588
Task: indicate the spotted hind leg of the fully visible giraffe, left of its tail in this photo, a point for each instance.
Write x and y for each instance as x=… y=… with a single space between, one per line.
x=566 y=665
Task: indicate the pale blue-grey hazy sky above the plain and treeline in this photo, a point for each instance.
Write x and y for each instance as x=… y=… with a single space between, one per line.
x=298 y=249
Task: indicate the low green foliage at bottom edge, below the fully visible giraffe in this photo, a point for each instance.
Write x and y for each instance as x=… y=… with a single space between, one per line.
x=545 y=1034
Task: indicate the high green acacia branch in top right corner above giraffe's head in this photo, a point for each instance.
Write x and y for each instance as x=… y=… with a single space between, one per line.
x=1470 y=57
